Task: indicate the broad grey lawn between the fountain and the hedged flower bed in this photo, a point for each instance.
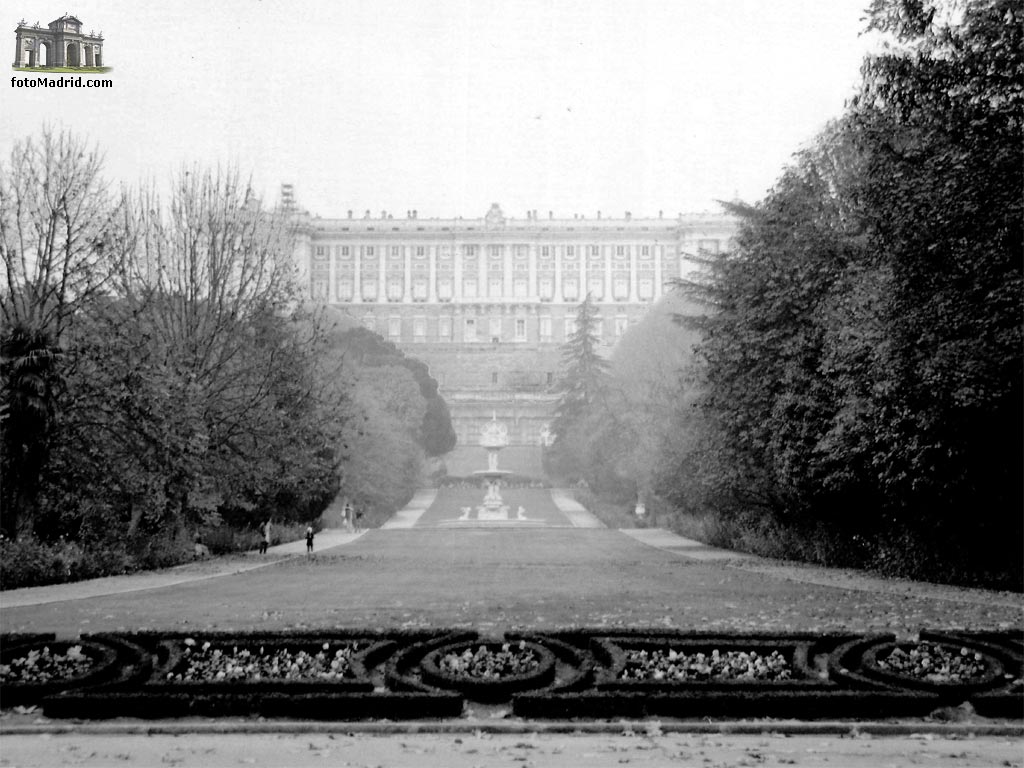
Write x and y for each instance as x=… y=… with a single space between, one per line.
x=494 y=579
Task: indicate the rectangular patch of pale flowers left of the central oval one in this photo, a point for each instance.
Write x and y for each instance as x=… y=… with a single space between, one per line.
x=208 y=663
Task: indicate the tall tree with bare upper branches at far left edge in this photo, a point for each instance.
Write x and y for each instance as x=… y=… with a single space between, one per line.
x=55 y=219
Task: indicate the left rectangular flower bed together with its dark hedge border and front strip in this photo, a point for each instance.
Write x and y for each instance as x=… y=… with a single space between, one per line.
x=322 y=676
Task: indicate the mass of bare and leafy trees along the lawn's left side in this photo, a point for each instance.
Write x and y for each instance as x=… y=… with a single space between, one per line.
x=159 y=374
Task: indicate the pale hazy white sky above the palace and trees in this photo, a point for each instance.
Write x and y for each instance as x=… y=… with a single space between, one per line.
x=449 y=106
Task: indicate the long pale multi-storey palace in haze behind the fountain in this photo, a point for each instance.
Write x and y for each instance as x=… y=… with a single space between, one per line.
x=487 y=303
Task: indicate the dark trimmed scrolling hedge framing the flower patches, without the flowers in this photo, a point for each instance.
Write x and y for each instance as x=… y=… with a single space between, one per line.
x=396 y=676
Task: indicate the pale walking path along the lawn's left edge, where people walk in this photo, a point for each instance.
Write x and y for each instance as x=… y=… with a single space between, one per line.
x=193 y=572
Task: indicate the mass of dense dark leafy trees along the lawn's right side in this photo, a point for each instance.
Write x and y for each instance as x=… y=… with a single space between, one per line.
x=864 y=357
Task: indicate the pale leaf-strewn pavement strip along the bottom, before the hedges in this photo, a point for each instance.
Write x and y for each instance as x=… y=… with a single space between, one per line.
x=647 y=747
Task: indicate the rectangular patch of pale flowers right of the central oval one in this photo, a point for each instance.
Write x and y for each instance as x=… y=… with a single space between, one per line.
x=733 y=665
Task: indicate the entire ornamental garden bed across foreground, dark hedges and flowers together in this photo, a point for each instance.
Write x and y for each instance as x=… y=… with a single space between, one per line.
x=352 y=675
